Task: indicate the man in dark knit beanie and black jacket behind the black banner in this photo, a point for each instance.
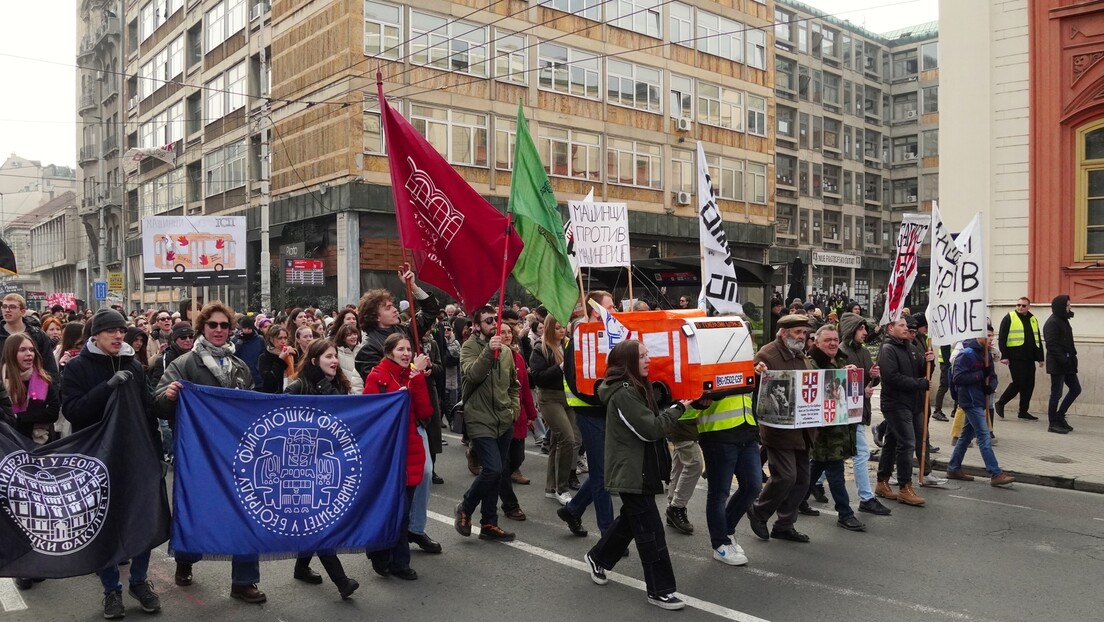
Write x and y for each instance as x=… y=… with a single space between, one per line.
x=105 y=364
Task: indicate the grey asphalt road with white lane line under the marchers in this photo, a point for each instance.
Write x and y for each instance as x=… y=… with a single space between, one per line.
x=973 y=554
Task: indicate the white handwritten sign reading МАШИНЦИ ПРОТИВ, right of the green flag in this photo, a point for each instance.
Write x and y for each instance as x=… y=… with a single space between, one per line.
x=600 y=234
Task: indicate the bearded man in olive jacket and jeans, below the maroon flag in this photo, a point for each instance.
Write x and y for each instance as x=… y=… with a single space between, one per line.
x=492 y=394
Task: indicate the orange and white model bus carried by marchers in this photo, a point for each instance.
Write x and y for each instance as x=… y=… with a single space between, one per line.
x=693 y=356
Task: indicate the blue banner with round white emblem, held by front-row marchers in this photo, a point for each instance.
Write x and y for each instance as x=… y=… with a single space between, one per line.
x=275 y=476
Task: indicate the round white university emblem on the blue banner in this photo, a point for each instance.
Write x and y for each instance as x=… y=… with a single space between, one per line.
x=298 y=470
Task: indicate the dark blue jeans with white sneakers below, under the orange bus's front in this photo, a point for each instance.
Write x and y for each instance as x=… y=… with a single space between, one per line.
x=723 y=461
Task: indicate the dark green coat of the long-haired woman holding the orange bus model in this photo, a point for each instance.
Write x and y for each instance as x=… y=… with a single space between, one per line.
x=636 y=447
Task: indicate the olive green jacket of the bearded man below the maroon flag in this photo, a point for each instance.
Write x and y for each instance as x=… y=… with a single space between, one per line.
x=492 y=391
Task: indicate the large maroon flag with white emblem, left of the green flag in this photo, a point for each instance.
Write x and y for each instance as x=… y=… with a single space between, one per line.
x=458 y=238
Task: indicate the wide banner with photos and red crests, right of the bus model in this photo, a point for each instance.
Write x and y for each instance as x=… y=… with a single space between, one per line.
x=811 y=399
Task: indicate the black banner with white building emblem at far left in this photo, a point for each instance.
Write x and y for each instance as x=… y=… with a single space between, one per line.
x=86 y=502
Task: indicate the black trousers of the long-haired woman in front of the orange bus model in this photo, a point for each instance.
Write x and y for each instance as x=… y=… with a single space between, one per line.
x=639 y=521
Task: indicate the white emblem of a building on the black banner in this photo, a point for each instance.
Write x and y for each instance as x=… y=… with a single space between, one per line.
x=60 y=501
